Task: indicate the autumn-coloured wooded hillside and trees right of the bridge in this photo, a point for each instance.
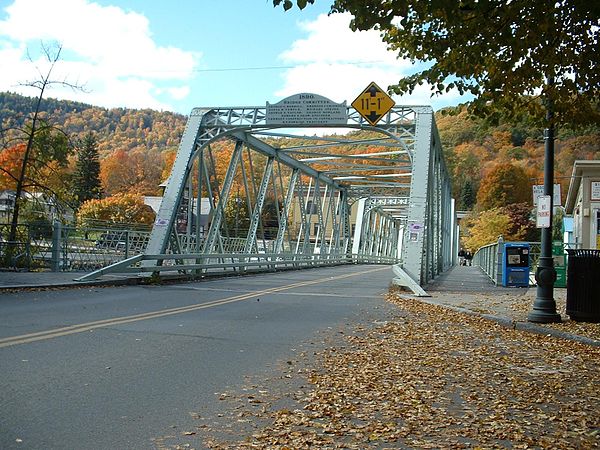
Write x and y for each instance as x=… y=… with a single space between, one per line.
x=494 y=165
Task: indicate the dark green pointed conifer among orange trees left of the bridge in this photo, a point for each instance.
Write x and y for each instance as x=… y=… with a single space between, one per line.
x=86 y=179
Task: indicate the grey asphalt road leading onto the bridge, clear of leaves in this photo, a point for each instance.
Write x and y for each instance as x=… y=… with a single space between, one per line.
x=119 y=368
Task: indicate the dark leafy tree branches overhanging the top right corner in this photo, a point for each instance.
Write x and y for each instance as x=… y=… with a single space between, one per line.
x=501 y=51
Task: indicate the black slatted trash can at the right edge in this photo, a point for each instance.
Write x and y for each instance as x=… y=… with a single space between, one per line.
x=583 y=285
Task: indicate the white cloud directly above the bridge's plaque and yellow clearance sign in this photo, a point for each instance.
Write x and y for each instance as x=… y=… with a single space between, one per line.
x=338 y=63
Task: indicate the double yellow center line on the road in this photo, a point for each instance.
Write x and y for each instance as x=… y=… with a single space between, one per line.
x=88 y=326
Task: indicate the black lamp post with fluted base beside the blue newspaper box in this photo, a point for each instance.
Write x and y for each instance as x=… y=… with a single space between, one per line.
x=544 y=307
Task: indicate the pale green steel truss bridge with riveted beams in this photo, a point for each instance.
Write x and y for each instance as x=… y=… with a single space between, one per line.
x=247 y=192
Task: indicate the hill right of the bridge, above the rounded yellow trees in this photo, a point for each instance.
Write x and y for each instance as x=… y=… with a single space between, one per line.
x=473 y=148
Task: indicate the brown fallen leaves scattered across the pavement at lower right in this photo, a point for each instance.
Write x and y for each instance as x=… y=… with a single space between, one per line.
x=433 y=378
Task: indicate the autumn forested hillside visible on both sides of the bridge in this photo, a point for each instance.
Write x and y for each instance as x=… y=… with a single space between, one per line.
x=490 y=165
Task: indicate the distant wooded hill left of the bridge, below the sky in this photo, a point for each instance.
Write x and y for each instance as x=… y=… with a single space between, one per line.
x=116 y=128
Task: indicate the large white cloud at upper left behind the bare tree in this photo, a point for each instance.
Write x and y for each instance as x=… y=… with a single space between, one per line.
x=109 y=50
